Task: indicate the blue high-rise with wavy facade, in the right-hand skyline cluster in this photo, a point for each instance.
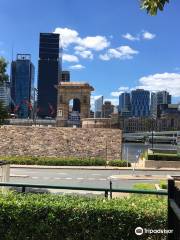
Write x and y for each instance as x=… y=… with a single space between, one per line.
x=140 y=100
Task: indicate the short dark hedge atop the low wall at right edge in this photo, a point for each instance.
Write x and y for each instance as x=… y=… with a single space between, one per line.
x=164 y=157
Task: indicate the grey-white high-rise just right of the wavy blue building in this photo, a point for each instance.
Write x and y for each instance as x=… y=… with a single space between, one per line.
x=161 y=97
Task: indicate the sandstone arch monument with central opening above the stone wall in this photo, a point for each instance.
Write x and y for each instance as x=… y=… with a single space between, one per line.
x=77 y=91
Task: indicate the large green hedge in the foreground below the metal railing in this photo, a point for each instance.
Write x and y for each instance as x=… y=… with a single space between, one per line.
x=52 y=217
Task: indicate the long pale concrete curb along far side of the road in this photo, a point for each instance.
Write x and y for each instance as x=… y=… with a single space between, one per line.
x=92 y=168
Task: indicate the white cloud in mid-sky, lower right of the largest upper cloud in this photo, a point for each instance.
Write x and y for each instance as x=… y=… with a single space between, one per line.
x=122 y=52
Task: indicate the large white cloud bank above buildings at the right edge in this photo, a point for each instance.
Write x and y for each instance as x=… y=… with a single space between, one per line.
x=161 y=81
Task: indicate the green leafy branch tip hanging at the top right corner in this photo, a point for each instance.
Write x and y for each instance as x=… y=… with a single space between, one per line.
x=152 y=6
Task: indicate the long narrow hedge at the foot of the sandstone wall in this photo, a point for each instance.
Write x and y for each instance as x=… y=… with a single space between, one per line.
x=52 y=161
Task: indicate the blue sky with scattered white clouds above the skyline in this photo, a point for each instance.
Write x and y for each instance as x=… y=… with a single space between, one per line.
x=113 y=45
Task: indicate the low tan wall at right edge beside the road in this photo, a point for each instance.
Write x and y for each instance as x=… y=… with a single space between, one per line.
x=161 y=164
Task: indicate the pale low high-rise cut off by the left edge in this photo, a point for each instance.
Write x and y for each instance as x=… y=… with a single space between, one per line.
x=5 y=93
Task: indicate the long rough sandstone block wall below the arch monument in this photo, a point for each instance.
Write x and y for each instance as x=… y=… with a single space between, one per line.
x=56 y=141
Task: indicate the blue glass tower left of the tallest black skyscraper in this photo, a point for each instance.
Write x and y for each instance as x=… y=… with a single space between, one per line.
x=22 y=85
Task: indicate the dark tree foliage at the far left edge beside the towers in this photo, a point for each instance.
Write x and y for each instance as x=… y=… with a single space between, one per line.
x=3 y=78
